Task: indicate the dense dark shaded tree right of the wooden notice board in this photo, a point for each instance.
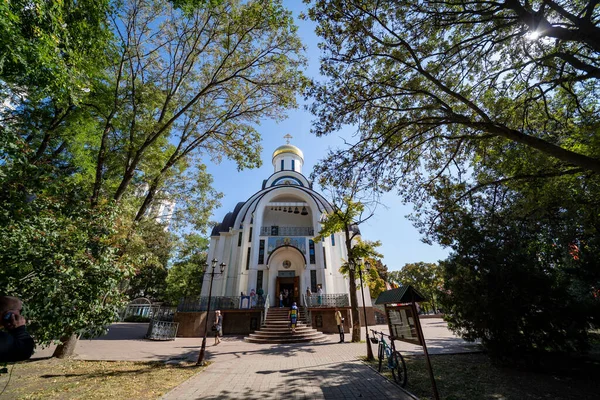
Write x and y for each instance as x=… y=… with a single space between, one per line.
x=523 y=272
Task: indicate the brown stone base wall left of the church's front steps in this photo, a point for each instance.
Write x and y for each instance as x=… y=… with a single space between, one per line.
x=235 y=322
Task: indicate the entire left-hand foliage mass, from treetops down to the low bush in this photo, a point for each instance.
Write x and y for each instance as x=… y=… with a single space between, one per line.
x=113 y=106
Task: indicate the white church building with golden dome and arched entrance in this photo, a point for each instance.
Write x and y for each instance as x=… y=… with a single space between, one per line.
x=267 y=245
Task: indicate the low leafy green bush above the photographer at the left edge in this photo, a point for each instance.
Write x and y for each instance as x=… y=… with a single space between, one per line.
x=64 y=264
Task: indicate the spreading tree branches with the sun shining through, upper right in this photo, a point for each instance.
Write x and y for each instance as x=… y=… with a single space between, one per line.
x=448 y=90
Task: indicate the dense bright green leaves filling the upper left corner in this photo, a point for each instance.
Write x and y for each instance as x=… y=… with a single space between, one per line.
x=53 y=48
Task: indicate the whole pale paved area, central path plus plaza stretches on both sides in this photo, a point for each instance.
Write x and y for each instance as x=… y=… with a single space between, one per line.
x=241 y=370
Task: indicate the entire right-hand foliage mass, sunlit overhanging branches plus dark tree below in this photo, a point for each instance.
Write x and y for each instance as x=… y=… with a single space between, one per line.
x=484 y=115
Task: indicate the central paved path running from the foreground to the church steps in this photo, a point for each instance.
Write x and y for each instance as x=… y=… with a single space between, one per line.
x=295 y=371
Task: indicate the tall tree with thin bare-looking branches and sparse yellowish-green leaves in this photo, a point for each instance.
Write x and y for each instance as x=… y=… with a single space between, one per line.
x=188 y=84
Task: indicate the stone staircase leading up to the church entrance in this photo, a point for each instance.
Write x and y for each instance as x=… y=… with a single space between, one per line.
x=276 y=329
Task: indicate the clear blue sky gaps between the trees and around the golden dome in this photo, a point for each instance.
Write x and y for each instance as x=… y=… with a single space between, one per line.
x=401 y=242
